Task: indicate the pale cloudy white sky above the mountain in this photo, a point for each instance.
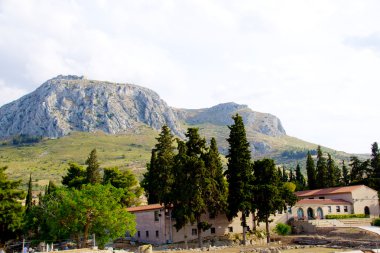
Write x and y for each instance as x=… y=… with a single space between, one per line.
x=313 y=64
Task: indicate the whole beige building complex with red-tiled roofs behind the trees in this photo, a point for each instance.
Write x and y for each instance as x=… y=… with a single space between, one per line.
x=154 y=224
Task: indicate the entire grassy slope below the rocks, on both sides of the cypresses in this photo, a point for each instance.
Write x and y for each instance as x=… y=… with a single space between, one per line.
x=48 y=159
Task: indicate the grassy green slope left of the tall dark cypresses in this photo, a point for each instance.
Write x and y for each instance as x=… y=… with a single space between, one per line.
x=49 y=158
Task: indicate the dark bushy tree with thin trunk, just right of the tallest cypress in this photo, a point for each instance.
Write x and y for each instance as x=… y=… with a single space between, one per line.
x=271 y=195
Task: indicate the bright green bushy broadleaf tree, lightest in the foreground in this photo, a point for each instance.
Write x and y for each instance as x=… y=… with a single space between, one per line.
x=94 y=209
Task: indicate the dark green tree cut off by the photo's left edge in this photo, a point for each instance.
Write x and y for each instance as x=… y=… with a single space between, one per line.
x=11 y=210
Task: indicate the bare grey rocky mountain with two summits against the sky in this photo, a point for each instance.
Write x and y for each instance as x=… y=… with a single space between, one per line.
x=71 y=103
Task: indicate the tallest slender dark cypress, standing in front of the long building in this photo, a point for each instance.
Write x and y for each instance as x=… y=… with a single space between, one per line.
x=239 y=173
